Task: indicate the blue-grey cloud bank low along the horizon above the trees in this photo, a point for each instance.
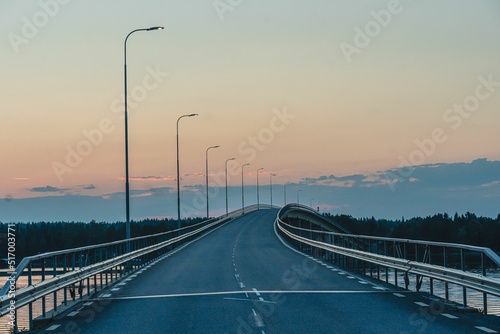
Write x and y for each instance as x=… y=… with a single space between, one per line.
x=430 y=189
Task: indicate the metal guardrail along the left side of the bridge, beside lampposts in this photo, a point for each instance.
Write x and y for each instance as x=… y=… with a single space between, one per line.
x=94 y=267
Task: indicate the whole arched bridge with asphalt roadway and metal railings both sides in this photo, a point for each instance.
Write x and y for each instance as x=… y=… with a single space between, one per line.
x=264 y=270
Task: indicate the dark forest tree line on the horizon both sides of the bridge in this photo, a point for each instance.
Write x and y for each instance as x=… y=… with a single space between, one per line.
x=40 y=237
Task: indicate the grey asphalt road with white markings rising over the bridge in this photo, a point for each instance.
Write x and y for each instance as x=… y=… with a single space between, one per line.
x=241 y=278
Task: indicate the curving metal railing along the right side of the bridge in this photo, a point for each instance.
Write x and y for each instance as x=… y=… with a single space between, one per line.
x=463 y=265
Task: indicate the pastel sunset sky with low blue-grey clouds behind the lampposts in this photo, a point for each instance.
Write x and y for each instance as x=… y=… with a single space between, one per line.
x=339 y=95
